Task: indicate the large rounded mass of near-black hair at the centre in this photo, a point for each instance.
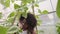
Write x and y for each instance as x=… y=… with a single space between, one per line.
x=31 y=20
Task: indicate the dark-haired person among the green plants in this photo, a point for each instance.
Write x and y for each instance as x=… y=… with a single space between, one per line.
x=28 y=24
